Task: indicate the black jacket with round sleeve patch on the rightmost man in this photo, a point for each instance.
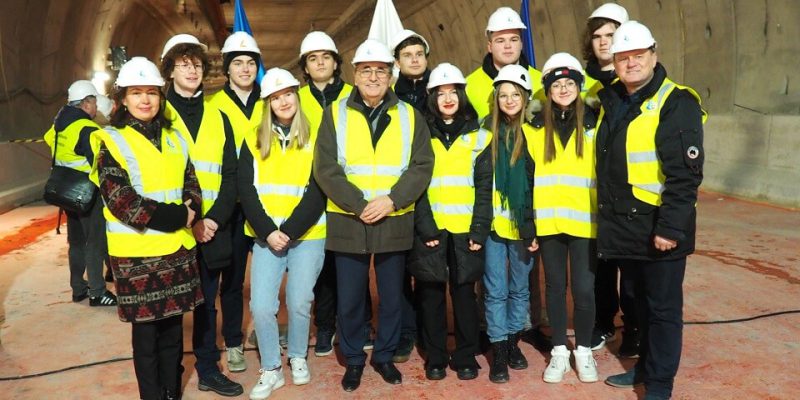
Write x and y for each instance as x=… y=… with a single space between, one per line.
x=626 y=225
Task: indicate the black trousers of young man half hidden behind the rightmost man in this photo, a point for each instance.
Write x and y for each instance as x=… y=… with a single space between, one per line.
x=608 y=300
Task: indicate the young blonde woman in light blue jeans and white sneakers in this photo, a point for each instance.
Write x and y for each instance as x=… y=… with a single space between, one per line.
x=284 y=210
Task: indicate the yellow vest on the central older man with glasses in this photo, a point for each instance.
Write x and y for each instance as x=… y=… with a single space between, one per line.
x=374 y=170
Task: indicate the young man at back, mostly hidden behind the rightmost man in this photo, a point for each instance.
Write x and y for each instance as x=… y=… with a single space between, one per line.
x=600 y=28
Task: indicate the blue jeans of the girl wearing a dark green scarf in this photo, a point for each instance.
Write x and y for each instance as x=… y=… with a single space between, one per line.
x=506 y=290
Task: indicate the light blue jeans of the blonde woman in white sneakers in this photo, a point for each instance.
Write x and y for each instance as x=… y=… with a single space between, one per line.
x=303 y=261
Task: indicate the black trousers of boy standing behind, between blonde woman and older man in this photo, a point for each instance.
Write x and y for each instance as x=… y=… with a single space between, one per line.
x=325 y=297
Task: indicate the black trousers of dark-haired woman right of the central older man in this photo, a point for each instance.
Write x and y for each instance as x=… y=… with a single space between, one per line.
x=433 y=311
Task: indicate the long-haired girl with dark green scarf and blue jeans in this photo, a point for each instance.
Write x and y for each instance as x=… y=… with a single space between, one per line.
x=510 y=247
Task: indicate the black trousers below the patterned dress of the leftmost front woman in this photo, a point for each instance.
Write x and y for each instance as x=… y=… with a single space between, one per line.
x=157 y=355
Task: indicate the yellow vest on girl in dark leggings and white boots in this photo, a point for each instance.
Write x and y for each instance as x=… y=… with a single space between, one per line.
x=565 y=189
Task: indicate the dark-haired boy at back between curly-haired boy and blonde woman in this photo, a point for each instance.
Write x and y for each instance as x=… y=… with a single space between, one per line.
x=239 y=100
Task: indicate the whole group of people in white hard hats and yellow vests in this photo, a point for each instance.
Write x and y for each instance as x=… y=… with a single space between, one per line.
x=439 y=181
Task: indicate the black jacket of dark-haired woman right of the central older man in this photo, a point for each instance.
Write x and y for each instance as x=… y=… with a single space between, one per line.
x=430 y=263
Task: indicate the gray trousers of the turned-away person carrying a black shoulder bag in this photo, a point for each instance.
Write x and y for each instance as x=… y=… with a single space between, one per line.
x=86 y=235
